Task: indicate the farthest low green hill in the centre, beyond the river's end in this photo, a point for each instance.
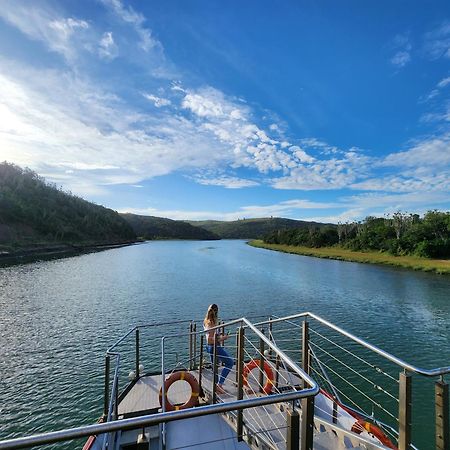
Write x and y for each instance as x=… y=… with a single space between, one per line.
x=251 y=228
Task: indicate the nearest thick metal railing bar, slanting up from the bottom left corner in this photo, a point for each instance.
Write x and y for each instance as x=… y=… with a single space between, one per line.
x=152 y=419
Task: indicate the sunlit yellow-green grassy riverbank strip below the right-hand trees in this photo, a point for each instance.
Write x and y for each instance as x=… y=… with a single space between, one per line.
x=410 y=262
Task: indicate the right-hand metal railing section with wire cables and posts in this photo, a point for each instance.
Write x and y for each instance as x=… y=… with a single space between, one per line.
x=323 y=353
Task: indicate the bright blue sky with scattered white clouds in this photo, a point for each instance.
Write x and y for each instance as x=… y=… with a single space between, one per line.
x=323 y=110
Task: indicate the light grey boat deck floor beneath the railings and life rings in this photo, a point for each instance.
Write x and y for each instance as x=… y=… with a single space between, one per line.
x=266 y=425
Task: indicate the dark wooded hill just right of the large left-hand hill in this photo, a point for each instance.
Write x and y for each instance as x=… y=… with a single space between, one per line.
x=149 y=227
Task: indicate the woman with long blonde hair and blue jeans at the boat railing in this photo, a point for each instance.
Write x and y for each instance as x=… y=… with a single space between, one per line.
x=211 y=321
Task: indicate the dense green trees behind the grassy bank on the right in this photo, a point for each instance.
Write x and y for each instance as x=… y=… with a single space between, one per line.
x=398 y=234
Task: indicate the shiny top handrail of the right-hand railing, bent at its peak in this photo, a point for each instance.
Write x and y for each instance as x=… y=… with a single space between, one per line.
x=407 y=366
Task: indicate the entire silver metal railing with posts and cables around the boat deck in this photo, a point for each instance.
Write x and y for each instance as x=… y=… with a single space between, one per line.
x=264 y=345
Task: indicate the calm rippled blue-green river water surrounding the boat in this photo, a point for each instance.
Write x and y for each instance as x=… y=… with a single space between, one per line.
x=58 y=317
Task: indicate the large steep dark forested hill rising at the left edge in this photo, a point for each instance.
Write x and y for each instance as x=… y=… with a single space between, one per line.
x=35 y=213
